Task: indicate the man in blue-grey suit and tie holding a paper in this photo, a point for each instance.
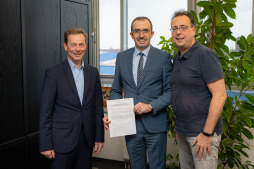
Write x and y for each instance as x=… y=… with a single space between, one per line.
x=143 y=73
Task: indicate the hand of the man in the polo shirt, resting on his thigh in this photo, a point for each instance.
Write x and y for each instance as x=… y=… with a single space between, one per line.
x=203 y=144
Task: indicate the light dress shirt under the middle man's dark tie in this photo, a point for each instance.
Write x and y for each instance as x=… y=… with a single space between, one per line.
x=135 y=61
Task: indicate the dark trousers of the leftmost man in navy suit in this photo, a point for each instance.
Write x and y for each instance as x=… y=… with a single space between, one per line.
x=79 y=158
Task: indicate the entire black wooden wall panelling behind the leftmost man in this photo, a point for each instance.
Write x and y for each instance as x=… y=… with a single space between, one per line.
x=30 y=41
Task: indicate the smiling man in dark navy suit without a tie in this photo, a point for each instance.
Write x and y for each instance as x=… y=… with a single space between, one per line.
x=71 y=108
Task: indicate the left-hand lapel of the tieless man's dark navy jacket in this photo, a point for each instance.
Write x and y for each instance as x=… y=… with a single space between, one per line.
x=70 y=79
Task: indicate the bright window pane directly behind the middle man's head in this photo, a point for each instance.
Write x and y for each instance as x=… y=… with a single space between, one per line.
x=158 y=12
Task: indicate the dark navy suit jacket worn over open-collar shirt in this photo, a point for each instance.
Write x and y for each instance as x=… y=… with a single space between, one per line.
x=62 y=114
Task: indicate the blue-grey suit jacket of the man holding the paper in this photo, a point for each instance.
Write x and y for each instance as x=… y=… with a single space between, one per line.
x=154 y=86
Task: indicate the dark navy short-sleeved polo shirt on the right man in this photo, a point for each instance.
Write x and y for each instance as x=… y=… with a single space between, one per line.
x=191 y=96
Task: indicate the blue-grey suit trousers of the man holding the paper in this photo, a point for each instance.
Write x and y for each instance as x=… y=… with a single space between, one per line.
x=154 y=144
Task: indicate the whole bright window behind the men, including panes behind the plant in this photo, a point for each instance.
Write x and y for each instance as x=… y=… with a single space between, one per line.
x=160 y=15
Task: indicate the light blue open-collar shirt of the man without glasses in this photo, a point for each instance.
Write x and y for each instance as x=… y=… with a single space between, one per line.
x=78 y=75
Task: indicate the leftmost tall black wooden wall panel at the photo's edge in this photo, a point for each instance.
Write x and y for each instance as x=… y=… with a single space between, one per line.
x=11 y=82
